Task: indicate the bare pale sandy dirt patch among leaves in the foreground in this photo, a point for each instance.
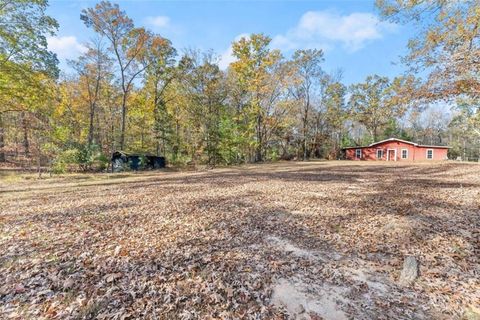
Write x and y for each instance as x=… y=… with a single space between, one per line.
x=307 y=297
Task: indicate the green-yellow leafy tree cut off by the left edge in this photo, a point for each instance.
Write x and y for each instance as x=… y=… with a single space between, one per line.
x=24 y=27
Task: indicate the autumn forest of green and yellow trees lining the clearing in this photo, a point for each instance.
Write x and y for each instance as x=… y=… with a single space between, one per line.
x=133 y=91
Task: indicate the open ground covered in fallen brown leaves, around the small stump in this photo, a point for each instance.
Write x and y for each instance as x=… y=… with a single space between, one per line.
x=315 y=240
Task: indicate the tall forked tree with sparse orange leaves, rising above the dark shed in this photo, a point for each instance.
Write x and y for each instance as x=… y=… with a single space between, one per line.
x=127 y=43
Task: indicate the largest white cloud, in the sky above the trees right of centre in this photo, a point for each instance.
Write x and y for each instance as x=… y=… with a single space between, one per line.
x=325 y=29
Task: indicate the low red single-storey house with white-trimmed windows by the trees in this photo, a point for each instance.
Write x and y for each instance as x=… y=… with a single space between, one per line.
x=396 y=150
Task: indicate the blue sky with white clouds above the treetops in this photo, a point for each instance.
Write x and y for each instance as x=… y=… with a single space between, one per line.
x=350 y=32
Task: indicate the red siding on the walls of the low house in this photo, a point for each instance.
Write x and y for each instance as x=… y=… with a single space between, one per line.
x=414 y=153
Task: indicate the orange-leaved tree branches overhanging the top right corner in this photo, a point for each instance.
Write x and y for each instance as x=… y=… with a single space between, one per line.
x=446 y=47
